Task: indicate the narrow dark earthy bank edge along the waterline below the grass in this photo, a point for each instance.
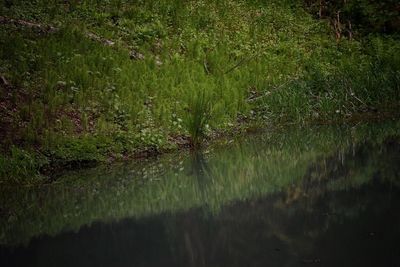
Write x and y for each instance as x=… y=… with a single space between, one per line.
x=55 y=168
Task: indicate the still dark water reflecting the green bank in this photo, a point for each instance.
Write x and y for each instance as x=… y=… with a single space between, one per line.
x=326 y=196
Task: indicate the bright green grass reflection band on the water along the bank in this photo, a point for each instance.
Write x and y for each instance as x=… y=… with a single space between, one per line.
x=298 y=163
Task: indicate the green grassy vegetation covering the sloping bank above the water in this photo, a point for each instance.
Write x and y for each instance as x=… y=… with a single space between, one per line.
x=89 y=81
